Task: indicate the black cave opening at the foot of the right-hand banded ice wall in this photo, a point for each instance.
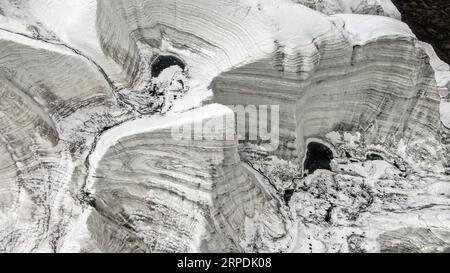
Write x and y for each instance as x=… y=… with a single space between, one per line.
x=318 y=156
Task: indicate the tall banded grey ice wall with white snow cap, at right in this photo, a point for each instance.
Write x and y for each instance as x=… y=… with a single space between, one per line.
x=355 y=84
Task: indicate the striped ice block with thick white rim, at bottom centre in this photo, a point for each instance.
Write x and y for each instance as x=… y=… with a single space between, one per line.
x=151 y=192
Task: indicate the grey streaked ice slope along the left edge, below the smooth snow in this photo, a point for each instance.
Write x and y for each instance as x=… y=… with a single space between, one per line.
x=42 y=86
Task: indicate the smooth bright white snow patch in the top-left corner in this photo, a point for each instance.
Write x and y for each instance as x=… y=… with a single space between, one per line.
x=70 y=23
